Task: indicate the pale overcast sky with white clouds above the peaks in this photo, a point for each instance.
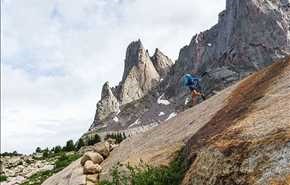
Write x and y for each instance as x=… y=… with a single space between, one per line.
x=56 y=54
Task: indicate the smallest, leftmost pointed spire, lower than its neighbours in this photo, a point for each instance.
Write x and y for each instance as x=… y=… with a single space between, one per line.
x=107 y=105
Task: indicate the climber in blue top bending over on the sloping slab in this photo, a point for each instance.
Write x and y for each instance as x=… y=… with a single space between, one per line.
x=193 y=83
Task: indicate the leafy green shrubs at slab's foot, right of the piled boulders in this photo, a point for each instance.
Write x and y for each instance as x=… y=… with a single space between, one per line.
x=148 y=175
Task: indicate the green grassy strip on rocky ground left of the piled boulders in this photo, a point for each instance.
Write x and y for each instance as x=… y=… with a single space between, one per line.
x=62 y=162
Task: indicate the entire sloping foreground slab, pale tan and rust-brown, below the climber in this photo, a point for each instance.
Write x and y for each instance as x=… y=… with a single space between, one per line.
x=239 y=136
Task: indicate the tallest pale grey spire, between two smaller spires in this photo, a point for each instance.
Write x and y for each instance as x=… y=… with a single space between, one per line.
x=139 y=76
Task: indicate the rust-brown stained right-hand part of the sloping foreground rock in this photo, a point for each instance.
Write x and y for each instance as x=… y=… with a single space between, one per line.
x=248 y=140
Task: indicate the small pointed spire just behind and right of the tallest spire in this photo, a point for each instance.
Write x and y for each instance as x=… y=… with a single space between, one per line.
x=161 y=63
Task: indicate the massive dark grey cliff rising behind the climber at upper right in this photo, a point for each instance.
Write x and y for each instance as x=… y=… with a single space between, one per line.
x=249 y=36
